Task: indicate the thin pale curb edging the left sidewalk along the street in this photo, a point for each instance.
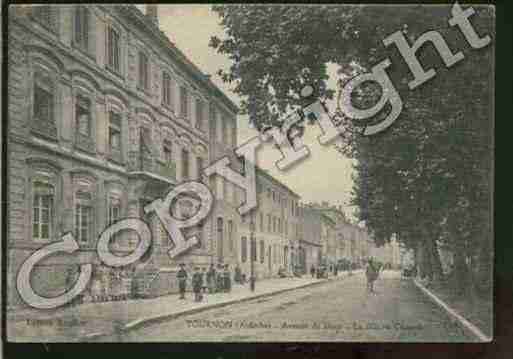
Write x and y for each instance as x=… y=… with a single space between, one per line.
x=142 y=322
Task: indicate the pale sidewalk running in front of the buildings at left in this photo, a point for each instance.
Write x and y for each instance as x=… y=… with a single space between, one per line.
x=87 y=321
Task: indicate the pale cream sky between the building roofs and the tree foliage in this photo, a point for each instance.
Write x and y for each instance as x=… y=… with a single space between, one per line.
x=325 y=175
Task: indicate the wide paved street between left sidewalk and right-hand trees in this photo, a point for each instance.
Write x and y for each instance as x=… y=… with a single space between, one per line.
x=335 y=311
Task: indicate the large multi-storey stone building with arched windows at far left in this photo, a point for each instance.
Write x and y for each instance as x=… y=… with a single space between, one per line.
x=105 y=115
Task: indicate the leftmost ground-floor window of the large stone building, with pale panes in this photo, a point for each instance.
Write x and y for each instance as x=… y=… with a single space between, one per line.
x=43 y=200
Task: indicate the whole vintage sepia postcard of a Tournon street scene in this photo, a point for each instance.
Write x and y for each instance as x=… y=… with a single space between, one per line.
x=249 y=173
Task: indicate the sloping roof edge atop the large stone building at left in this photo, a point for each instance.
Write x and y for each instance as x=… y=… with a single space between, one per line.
x=179 y=56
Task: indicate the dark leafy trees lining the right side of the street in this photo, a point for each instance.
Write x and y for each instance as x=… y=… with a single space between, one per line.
x=428 y=177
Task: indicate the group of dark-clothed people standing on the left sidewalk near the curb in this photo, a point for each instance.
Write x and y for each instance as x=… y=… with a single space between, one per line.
x=215 y=280
